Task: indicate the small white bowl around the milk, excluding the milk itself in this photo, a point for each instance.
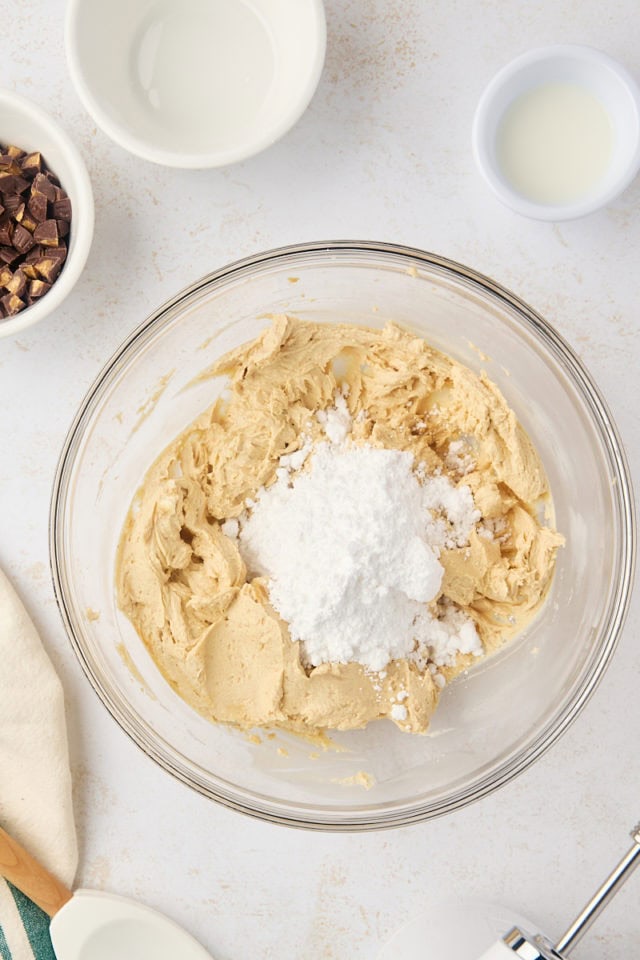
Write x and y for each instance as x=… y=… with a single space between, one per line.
x=599 y=75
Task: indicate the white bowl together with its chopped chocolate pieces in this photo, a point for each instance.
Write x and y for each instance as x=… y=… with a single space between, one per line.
x=46 y=214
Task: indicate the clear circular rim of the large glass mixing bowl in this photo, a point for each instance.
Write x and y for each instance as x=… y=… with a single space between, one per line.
x=276 y=811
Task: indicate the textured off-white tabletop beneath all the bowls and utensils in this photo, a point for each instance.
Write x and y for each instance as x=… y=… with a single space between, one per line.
x=382 y=153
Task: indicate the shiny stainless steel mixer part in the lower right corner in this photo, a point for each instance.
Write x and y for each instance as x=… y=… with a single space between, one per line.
x=518 y=943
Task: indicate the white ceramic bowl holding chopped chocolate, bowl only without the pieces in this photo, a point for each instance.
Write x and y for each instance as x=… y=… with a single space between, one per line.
x=28 y=126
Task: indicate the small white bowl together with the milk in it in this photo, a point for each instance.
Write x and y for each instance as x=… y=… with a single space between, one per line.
x=556 y=133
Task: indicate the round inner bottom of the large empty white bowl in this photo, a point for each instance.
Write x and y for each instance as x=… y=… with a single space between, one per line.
x=203 y=69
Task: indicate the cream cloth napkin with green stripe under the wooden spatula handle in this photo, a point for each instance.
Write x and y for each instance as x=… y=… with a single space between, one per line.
x=35 y=780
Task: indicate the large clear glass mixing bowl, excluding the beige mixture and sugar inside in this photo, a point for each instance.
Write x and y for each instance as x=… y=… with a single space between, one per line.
x=491 y=723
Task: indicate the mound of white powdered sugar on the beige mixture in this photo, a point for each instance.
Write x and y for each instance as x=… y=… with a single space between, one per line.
x=350 y=548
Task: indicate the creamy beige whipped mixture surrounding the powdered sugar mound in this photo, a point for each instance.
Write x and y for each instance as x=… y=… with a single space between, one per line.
x=183 y=583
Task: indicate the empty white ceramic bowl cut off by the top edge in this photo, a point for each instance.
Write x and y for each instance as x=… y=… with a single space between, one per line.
x=199 y=83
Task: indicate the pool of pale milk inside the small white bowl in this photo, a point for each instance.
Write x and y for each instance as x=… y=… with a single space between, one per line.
x=555 y=143
